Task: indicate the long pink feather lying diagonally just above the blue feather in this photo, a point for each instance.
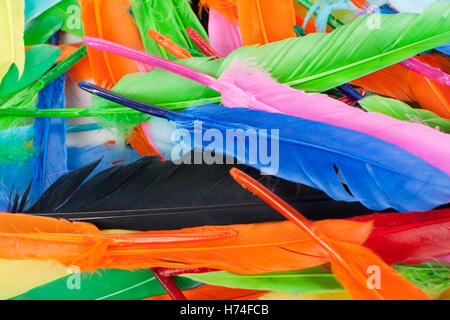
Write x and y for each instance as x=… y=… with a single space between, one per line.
x=242 y=86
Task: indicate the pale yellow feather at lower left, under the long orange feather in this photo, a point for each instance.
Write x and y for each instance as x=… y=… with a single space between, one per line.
x=20 y=276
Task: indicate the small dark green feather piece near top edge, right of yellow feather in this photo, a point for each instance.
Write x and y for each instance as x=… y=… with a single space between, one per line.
x=41 y=29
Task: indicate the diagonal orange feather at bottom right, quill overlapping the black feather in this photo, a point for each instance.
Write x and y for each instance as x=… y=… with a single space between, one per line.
x=349 y=262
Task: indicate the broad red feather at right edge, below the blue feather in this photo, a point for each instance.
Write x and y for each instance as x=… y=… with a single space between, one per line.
x=413 y=238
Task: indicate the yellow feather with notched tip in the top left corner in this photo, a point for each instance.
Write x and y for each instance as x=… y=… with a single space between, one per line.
x=12 y=25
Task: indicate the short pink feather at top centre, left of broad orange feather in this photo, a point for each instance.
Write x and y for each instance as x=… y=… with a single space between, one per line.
x=224 y=35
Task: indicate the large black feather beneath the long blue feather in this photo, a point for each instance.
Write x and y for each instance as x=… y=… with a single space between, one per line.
x=151 y=194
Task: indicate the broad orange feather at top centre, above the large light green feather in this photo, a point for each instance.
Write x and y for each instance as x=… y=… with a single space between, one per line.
x=264 y=21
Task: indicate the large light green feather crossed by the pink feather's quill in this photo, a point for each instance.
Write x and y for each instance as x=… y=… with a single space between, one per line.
x=319 y=75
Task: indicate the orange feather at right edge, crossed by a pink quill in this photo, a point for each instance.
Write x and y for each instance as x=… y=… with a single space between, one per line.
x=403 y=84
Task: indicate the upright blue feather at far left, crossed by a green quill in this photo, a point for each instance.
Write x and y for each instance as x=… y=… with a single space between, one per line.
x=49 y=142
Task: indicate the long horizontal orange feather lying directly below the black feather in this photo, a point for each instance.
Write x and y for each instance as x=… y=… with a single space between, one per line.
x=244 y=249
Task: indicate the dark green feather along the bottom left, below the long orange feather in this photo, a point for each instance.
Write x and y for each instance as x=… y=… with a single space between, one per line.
x=112 y=284
